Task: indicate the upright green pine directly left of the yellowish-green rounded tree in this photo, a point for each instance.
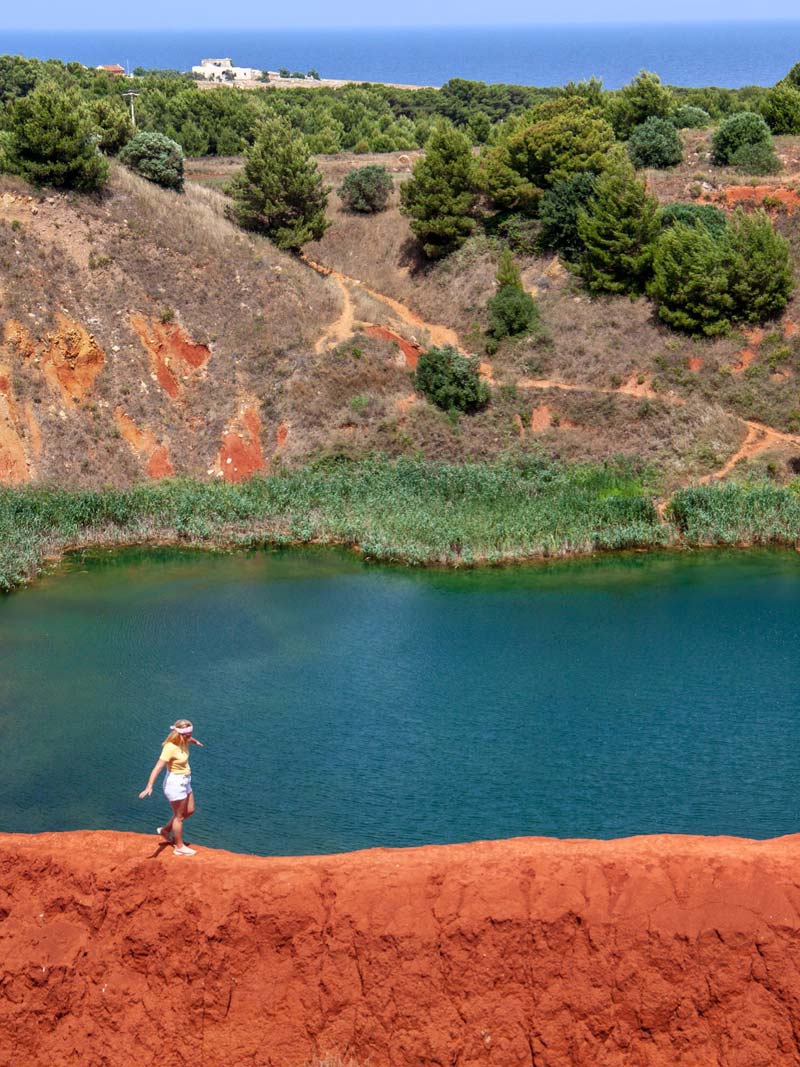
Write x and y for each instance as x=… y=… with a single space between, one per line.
x=441 y=197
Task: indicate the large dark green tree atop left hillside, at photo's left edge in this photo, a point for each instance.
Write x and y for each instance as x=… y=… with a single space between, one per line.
x=54 y=140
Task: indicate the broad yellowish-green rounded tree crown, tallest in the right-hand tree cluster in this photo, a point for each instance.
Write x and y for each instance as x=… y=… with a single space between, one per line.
x=555 y=141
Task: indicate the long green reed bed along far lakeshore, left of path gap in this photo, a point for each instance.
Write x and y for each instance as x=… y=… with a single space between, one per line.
x=406 y=511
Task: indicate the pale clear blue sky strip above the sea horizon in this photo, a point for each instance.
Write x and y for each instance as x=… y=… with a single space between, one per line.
x=267 y=14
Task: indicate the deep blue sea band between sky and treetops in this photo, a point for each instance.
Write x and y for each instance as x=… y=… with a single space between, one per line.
x=709 y=54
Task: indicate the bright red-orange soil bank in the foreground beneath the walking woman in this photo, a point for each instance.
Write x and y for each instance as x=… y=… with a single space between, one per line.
x=649 y=952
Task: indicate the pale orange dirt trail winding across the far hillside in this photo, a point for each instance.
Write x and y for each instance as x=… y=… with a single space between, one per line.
x=758 y=440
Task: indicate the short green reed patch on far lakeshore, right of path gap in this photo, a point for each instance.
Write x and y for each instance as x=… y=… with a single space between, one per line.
x=739 y=514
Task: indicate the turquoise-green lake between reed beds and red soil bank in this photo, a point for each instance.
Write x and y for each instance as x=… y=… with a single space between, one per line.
x=345 y=706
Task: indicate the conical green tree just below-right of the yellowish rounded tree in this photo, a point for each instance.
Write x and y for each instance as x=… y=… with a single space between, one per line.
x=618 y=229
